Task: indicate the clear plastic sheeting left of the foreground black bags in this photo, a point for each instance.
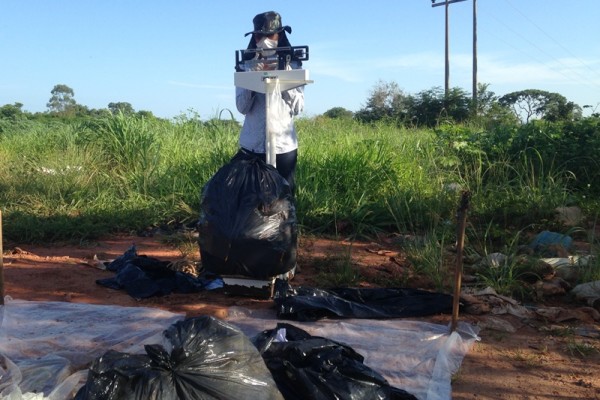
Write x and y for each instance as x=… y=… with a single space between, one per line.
x=45 y=347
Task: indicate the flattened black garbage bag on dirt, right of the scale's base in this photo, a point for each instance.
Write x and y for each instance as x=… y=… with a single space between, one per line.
x=309 y=304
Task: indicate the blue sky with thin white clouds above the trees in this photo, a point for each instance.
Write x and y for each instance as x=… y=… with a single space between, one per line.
x=177 y=56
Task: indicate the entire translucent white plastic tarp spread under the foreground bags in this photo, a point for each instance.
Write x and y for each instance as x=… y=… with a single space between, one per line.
x=46 y=346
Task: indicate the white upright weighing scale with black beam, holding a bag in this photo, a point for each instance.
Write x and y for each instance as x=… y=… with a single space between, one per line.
x=277 y=74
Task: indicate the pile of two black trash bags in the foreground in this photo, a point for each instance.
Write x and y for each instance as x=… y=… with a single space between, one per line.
x=206 y=358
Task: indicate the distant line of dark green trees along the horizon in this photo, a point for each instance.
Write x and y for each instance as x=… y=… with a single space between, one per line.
x=386 y=102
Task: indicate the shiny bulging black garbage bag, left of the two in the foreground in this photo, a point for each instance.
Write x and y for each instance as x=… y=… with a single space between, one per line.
x=209 y=359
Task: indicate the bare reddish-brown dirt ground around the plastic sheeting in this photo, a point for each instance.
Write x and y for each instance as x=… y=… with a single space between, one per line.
x=540 y=360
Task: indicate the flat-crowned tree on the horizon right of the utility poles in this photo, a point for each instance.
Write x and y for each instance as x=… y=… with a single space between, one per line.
x=550 y=106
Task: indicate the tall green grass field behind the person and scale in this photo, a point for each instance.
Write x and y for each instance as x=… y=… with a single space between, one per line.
x=79 y=180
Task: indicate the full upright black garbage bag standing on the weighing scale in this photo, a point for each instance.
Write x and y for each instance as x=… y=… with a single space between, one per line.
x=247 y=222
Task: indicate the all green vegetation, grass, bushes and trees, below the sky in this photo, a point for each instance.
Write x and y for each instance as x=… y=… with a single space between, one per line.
x=399 y=165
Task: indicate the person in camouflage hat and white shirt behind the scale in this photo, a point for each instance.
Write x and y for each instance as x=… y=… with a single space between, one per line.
x=269 y=33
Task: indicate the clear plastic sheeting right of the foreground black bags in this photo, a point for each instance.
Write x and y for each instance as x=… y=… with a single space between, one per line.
x=418 y=357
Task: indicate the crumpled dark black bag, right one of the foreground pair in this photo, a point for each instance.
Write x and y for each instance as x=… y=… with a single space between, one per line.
x=317 y=368
